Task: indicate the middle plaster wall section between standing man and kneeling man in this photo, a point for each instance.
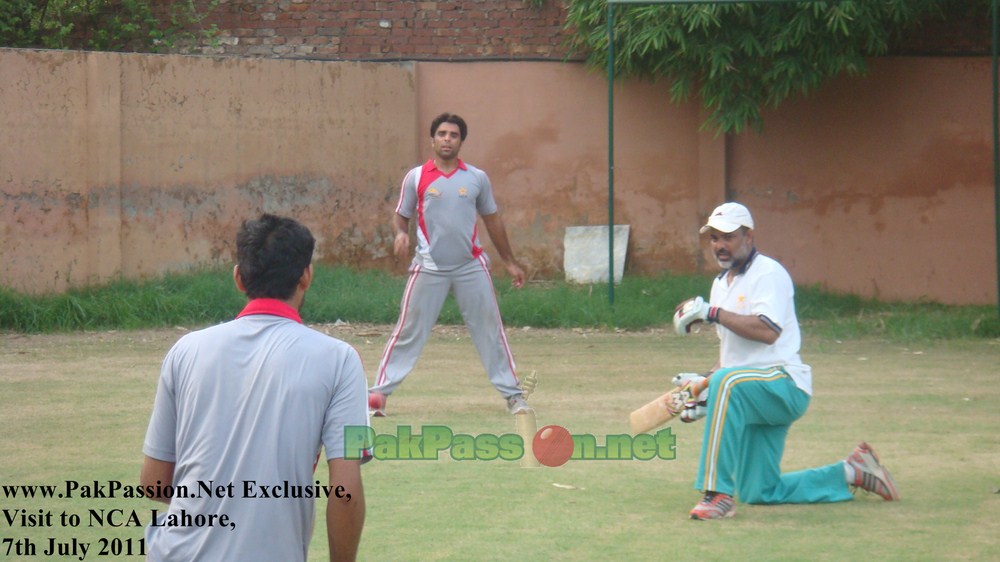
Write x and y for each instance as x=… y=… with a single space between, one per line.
x=541 y=132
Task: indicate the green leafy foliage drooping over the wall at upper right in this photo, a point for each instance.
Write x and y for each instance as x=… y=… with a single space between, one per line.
x=741 y=58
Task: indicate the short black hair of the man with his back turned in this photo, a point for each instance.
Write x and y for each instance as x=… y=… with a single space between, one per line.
x=273 y=252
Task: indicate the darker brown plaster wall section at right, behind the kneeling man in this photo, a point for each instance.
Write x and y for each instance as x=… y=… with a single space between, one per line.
x=881 y=185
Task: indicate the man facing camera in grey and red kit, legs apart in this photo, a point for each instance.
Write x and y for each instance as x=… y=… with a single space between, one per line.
x=446 y=196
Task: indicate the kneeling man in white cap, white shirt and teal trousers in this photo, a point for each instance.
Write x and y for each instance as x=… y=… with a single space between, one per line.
x=759 y=386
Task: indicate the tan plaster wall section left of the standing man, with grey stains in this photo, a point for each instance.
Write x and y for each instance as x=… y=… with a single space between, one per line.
x=136 y=165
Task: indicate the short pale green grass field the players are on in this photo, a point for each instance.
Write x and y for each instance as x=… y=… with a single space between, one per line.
x=75 y=407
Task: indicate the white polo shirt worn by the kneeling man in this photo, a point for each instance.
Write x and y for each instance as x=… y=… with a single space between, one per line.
x=763 y=288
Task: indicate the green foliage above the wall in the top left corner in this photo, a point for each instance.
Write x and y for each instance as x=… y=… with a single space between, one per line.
x=104 y=25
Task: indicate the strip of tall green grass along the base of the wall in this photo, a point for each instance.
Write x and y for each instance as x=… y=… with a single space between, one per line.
x=369 y=296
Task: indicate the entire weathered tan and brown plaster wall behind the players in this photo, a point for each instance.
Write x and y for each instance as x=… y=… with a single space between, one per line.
x=133 y=165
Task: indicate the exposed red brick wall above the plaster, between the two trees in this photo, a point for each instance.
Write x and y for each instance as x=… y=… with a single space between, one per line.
x=387 y=30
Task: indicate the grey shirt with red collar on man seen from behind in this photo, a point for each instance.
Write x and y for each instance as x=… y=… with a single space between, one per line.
x=251 y=400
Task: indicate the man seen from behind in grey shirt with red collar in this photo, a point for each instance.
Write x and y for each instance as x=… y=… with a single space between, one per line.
x=246 y=405
